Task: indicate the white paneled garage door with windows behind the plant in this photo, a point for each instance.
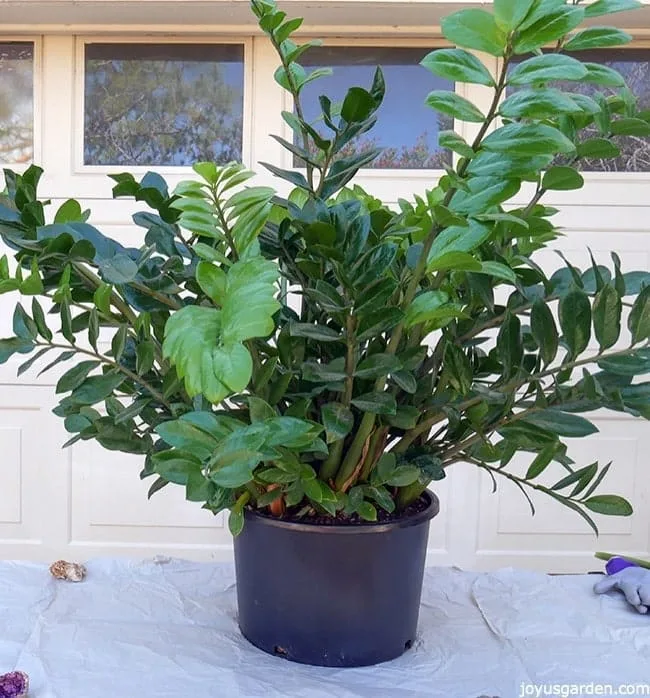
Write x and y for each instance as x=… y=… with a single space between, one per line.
x=84 y=106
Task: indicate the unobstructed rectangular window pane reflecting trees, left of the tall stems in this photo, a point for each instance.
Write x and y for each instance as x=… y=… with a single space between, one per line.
x=163 y=104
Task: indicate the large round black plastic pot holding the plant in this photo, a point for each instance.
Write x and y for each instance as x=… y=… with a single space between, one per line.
x=332 y=595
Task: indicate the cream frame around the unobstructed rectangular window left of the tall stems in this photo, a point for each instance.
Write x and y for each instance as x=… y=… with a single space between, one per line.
x=171 y=171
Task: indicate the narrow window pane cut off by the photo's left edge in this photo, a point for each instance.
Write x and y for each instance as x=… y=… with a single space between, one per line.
x=16 y=102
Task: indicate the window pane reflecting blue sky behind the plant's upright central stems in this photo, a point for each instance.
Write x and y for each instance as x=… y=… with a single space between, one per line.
x=406 y=129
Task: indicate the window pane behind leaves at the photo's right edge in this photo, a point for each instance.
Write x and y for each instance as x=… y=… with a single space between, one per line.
x=634 y=66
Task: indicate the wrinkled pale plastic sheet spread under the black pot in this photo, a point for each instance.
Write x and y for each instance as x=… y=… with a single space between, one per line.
x=167 y=628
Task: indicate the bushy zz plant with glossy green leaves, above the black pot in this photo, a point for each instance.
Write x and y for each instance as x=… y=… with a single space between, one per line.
x=326 y=355
